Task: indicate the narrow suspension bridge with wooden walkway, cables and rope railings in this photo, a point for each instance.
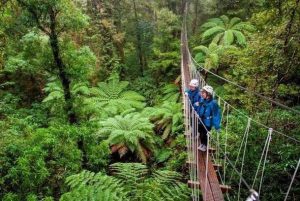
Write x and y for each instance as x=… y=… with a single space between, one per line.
x=209 y=178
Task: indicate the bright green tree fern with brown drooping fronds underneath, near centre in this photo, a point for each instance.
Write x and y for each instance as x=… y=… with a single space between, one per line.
x=130 y=132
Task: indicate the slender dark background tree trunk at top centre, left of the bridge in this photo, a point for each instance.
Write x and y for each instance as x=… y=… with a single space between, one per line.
x=139 y=41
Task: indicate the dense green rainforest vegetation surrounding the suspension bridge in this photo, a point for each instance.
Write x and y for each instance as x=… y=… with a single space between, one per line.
x=90 y=94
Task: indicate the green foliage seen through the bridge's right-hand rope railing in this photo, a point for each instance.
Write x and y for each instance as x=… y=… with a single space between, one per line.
x=282 y=156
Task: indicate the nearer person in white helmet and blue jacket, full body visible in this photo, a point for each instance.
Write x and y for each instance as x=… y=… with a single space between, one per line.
x=209 y=112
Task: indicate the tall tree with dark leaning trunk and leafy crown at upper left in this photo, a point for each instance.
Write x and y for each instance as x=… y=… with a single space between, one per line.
x=54 y=18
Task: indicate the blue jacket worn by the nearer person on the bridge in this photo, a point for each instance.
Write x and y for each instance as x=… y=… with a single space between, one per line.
x=209 y=112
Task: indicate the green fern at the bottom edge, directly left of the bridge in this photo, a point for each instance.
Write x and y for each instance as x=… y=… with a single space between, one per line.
x=161 y=185
